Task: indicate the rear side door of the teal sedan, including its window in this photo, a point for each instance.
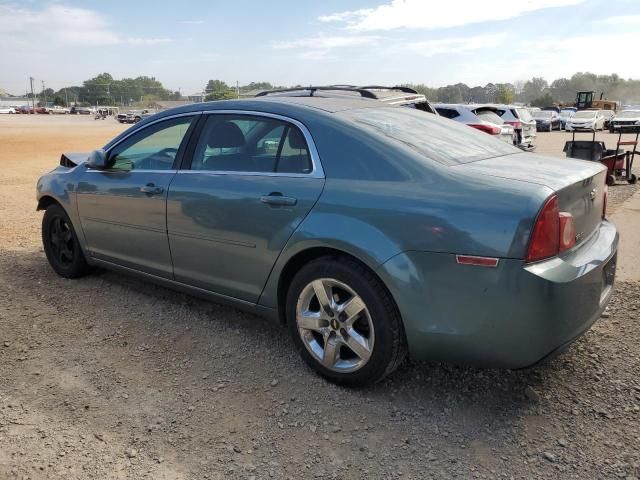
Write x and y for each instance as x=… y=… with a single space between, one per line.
x=250 y=181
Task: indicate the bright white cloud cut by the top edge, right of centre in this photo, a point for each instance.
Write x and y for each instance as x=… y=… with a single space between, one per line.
x=432 y=15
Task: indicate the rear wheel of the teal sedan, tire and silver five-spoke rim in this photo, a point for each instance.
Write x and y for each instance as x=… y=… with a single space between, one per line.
x=344 y=322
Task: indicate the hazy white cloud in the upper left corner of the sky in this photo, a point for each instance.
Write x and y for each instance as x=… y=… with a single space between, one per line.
x=61 y=26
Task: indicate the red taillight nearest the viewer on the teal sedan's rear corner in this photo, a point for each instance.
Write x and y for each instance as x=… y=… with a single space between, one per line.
x=553 y=232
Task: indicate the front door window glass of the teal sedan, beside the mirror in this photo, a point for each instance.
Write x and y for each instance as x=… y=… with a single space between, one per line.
x=153 y=148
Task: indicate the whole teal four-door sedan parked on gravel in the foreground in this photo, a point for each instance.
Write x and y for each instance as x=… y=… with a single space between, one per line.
x=371 y=231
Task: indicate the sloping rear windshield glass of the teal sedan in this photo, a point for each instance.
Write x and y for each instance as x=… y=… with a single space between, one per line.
x=445 y=141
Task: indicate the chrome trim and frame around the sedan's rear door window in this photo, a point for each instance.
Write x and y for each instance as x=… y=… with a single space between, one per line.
x=316 y=171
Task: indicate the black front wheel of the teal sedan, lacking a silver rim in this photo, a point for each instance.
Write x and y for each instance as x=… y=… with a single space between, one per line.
x=61 y=244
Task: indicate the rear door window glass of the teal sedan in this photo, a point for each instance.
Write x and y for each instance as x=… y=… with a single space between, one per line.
x=244 y=143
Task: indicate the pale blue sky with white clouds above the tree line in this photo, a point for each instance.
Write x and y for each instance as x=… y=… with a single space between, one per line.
x=286 y=42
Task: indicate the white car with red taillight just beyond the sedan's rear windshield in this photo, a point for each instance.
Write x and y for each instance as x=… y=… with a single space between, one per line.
x=481 y=117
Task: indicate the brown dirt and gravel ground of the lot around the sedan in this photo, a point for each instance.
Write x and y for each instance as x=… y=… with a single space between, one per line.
x=108 y=377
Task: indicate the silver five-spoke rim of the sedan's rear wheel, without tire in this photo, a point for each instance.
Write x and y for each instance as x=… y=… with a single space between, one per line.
x=335 y=325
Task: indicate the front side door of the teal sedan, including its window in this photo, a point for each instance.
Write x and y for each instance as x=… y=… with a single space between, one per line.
x=123 y=208
